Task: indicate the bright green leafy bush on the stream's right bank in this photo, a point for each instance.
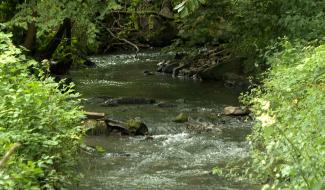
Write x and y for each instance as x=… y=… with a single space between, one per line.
x=288 y=139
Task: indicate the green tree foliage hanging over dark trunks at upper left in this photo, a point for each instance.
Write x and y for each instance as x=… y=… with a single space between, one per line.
x=49 y=14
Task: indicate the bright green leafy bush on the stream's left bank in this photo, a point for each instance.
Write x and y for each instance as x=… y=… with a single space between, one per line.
x=36 y=114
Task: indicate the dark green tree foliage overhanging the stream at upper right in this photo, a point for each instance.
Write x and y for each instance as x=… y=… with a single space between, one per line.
x=250 y=25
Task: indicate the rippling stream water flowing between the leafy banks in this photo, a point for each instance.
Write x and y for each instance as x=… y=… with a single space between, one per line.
x=176 y=157
